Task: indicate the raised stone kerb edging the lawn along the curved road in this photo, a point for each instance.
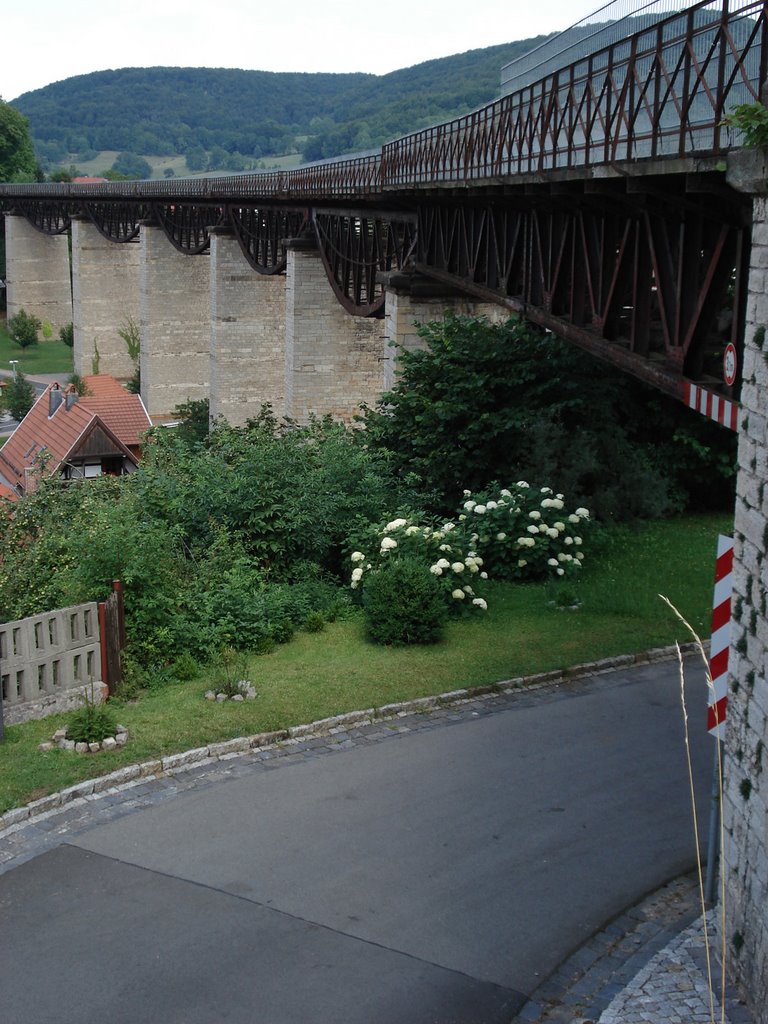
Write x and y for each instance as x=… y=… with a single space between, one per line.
x=20 y=818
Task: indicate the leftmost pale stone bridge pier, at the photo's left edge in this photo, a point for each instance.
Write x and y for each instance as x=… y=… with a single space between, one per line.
x=37 y=268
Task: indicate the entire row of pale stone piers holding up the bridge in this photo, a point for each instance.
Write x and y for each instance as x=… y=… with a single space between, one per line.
x=214 y=328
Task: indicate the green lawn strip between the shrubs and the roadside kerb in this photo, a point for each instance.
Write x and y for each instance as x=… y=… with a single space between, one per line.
x=322 y=674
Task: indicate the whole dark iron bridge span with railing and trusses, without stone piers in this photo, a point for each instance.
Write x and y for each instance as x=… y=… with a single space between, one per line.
x=593 y=202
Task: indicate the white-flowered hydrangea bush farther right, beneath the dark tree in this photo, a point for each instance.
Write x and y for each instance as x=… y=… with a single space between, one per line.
x=525 y=533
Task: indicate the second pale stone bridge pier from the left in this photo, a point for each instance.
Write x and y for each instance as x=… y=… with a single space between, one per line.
x=105 y=298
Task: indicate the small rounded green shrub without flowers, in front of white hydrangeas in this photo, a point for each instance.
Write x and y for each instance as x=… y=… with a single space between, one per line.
x=404 y=604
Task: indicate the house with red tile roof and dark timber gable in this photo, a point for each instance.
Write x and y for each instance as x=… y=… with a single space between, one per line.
x=76 y=437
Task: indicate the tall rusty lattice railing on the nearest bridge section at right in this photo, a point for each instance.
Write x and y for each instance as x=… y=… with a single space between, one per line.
x=663 y=92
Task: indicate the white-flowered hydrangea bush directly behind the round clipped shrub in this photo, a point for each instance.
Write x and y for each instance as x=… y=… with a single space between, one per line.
x=441 y=548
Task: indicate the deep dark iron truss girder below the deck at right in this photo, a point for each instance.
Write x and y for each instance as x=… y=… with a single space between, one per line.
x=653 y=284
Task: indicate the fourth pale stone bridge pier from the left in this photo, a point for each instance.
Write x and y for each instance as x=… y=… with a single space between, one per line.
x=248 y=334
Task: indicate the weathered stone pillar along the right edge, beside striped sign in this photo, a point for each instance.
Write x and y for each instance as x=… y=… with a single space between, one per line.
x=746 y=771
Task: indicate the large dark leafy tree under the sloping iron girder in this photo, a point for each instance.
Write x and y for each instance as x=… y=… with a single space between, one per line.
x=504 y=402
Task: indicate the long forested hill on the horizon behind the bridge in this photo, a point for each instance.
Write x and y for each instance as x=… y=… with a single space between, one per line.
x=225 y=118
